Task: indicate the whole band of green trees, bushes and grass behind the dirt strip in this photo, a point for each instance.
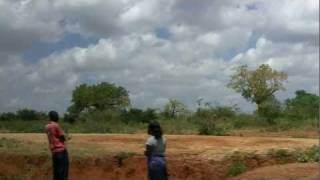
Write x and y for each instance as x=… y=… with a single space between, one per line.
x=105 y=108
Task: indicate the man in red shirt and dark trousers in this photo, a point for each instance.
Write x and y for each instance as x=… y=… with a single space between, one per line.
x=57 y=147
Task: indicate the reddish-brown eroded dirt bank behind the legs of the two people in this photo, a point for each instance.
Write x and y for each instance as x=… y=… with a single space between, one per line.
x=108 y=168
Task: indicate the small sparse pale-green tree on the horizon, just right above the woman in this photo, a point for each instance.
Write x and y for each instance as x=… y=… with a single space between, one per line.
x=174 y=107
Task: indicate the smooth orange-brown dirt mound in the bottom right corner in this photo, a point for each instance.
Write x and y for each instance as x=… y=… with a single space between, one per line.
x=295 y=171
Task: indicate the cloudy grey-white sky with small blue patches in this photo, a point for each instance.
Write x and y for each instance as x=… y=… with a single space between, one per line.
x=157 y=49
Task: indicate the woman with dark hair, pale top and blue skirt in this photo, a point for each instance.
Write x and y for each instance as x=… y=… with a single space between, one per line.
x=155 y=150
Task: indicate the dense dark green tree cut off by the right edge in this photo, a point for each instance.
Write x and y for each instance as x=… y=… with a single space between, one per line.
x=304 y=105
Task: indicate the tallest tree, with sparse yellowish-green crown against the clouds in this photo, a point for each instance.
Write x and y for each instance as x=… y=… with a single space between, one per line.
x=257 y=85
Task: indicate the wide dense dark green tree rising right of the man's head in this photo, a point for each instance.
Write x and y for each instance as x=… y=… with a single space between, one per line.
x=103 y=96
